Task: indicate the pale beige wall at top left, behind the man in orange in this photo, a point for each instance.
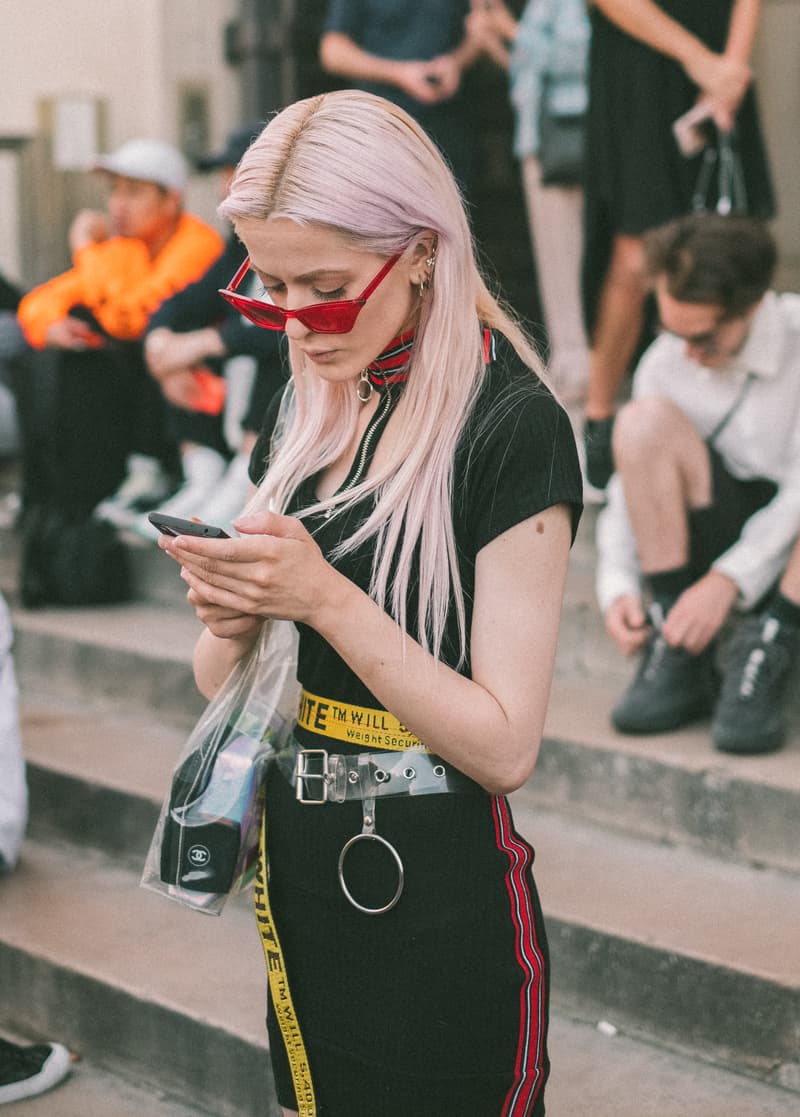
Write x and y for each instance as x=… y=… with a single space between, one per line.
x=137 y=69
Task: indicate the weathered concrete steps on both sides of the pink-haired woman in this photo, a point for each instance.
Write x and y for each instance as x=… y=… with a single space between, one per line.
x=670 y=876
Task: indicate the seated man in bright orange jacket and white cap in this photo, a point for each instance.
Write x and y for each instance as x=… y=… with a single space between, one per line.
x=98 y=419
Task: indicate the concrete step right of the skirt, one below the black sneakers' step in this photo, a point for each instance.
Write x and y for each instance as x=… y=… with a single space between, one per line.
x=672 y=944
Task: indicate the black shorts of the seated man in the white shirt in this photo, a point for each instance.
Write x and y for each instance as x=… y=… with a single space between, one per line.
x=716 y=529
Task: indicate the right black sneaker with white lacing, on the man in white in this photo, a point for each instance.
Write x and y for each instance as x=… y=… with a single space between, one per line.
x=757 y=669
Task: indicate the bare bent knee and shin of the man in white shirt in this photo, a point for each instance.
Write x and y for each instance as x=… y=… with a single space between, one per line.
x=665 y=471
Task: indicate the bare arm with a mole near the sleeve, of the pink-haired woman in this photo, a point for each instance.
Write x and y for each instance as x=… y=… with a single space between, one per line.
x=489 y=727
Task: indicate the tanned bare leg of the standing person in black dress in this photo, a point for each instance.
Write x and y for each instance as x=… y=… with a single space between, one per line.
x=618 y=327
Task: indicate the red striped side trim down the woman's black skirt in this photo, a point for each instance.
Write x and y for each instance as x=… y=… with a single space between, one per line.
x=529 y=1067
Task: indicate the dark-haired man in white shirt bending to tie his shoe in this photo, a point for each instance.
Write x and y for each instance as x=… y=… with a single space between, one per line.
x=704 y=509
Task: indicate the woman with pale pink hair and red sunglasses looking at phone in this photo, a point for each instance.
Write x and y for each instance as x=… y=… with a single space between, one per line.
x=418 y=492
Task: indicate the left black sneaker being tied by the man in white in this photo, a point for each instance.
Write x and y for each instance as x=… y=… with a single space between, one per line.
x=671 y=689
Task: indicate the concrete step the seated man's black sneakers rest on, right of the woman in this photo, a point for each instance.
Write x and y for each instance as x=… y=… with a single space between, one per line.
x=672 y=788
